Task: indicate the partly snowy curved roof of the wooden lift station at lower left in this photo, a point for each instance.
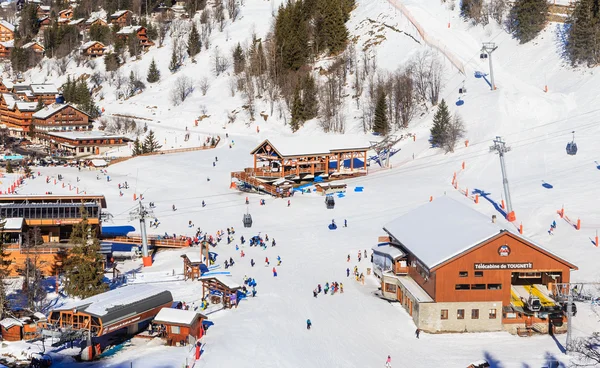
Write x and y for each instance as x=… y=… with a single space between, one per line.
x=105 y=303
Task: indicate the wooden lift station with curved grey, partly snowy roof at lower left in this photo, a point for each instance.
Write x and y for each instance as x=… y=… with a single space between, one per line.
x=129 y=309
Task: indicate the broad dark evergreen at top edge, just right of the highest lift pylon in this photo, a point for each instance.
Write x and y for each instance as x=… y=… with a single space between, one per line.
x=527 y=19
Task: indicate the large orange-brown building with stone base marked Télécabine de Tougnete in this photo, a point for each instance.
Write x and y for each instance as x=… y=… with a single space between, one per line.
x=454 y=270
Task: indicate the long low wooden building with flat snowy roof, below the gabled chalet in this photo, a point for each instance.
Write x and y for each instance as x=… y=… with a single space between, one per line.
x=81 y=143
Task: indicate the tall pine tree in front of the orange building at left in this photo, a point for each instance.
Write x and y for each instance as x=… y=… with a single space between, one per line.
x=83 y=266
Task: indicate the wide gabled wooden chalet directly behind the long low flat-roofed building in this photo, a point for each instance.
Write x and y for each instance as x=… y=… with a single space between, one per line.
x=61 y=117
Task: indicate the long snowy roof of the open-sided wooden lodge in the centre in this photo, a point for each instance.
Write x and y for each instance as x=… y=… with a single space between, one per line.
x=314 y=145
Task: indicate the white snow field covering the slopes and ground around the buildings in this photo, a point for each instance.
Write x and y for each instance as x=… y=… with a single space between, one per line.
x=356 y=328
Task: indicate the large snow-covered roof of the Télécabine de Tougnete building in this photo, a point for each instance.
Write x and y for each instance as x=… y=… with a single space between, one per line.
x=440 y=230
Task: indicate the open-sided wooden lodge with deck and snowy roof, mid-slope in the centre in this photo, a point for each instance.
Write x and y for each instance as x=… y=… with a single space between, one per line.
x=279 y=161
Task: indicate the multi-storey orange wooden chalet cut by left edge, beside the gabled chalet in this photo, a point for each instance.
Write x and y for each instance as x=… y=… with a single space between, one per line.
x=16 y=114
